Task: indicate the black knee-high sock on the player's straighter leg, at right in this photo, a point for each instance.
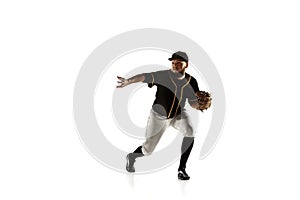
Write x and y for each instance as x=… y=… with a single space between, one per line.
x=186 y=148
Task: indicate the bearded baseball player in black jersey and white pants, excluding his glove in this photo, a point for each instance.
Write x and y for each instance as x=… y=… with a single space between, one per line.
x=174 y=87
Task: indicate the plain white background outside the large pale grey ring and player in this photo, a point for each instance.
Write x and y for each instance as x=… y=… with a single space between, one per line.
x=255 y=46
